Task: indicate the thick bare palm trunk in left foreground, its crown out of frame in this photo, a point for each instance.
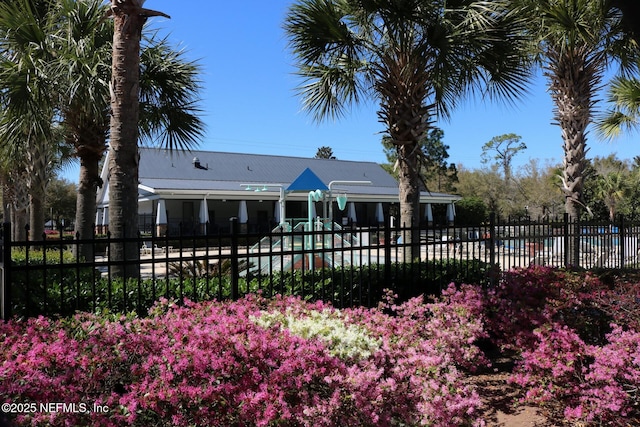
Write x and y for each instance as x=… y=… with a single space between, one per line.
x=123 y=153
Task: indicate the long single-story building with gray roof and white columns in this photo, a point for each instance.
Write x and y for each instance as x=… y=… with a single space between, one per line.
x=199 y=191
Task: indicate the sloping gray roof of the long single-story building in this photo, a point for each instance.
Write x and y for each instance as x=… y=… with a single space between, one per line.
x=163 y=172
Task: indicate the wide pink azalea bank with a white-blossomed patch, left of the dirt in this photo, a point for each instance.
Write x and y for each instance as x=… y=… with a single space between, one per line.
x=238 y=364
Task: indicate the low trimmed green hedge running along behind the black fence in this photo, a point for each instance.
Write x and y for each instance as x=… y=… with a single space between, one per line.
x=70 y=289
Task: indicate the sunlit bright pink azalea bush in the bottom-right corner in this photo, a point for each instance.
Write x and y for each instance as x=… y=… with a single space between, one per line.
x=594 y=384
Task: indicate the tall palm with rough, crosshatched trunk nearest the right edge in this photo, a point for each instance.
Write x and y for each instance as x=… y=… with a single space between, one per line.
x=577 y=41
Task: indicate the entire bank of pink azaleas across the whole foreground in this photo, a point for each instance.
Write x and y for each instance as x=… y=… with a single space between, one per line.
x=287 y=362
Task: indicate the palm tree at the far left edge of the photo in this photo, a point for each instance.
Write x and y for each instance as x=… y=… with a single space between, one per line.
x=28 y=108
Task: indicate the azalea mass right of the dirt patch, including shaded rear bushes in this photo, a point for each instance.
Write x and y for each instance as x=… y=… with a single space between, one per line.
x=569 y=361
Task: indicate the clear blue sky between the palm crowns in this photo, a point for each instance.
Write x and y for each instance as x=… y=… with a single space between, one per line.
x=250 y=104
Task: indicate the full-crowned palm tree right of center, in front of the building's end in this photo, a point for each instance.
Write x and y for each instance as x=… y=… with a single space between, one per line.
x=416 y=58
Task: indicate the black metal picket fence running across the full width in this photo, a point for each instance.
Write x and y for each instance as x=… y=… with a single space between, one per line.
x=345 y=266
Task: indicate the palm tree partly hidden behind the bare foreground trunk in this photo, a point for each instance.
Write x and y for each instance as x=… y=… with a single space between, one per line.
x=168 y=88
